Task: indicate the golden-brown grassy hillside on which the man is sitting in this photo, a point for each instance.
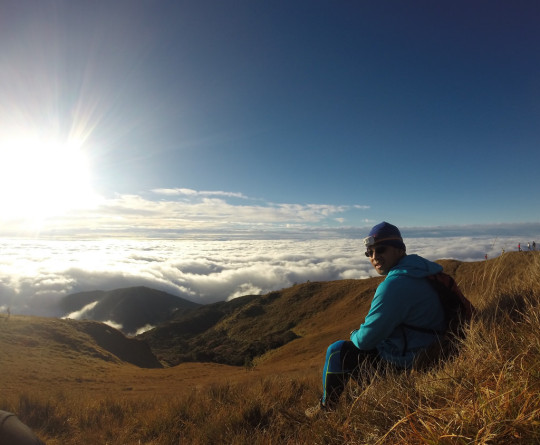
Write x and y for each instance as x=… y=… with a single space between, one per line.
x=73 y=391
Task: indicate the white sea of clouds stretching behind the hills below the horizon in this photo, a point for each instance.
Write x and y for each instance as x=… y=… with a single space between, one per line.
x=35 y=275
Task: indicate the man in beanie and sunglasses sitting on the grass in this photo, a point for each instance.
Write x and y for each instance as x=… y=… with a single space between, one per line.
x=385 y=339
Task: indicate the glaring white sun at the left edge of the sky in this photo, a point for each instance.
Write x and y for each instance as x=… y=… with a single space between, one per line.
x=43 y=176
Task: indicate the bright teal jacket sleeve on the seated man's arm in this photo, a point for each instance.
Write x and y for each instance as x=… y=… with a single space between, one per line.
x=385 y=314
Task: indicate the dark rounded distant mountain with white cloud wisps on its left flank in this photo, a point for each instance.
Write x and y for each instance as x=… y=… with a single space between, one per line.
x=130 y=308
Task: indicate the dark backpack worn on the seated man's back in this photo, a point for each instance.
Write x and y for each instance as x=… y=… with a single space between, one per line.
x=458 y=312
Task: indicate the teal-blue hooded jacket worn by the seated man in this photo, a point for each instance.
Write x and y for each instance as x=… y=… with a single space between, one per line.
x=404 y=297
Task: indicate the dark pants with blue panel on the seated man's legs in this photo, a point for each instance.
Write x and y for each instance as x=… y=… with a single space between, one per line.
x=343 y=360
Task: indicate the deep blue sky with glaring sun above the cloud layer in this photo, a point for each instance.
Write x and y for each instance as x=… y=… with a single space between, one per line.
x=245 y=116
